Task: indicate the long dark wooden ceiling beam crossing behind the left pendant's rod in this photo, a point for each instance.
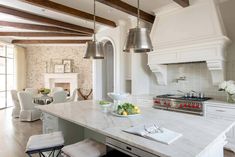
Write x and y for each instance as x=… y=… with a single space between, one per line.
x=69 y=11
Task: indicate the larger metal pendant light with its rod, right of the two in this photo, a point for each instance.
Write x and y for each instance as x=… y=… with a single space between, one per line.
x=138 y=39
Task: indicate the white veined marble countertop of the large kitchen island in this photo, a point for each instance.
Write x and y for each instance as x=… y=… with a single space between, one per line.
x=198 y=132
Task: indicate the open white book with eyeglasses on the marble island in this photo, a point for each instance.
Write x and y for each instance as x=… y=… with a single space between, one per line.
x=153 y=132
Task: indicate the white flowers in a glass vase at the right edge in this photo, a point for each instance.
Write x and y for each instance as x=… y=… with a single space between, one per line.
x=229 y=88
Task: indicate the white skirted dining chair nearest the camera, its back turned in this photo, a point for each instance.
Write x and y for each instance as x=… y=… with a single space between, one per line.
x=28 y=111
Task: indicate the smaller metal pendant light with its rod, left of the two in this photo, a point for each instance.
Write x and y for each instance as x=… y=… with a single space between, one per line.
x=95 y=49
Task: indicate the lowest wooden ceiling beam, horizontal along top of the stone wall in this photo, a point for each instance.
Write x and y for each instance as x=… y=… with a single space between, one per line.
x=49 y=41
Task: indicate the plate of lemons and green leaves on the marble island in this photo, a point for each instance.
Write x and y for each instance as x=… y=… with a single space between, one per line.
x=127 y=110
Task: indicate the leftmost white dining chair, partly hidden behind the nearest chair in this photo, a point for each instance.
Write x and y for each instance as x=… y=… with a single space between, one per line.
x=16 y=104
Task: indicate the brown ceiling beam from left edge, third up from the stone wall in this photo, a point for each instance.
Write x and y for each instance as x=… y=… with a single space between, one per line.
x=37 y=27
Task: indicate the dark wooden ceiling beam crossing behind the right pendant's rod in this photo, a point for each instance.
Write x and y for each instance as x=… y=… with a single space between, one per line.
x=129 y=9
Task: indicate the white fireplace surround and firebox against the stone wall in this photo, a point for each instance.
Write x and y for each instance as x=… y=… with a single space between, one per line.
x=68 y=81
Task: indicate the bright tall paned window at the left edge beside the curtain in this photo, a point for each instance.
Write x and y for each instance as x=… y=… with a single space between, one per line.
x=6 y=75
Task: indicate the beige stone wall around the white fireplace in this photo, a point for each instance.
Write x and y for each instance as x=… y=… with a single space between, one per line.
x=38 y=56
